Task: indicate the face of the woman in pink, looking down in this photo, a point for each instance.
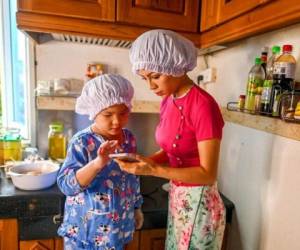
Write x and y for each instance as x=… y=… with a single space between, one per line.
x=160 y=84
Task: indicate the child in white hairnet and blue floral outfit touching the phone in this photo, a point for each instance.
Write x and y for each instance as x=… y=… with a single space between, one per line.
x=103 y=203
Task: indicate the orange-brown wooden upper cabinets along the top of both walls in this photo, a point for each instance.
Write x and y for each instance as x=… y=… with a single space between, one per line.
x=221 y=21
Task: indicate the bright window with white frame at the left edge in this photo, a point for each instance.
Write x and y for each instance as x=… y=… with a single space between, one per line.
x=17 y=83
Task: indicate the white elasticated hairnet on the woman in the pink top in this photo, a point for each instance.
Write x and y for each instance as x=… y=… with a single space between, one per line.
x=163 y=51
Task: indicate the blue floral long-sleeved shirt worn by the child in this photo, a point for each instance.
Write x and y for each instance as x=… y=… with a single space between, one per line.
x=101 y=215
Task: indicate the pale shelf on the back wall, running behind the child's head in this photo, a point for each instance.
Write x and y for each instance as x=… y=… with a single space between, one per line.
x=68 y=104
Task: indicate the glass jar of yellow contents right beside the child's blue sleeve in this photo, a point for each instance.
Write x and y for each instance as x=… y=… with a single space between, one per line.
x=57 y=141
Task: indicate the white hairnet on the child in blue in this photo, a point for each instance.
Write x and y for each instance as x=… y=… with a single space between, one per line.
x=104 y=91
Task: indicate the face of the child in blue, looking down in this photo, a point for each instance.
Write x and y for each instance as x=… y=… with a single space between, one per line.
x=110 y=121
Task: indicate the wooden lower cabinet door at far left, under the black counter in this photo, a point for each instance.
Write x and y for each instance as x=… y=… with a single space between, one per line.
x=9 y=234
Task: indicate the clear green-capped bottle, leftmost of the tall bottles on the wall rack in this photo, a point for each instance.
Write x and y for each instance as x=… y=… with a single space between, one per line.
x=254 y=87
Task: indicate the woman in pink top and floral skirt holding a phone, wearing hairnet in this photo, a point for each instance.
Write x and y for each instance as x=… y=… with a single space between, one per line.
x=189 y=134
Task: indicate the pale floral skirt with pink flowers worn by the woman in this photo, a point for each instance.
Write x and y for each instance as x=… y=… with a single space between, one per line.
x=196 y=219
